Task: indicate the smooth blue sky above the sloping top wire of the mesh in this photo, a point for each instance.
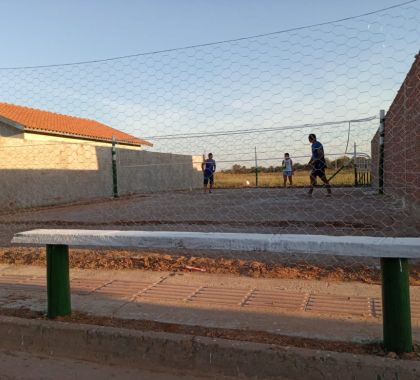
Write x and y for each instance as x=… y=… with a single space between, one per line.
x=59 y=31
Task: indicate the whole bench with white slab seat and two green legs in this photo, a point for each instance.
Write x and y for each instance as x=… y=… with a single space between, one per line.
x=392 y=252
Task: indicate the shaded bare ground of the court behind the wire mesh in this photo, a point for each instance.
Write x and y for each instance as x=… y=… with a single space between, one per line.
x=350 y=211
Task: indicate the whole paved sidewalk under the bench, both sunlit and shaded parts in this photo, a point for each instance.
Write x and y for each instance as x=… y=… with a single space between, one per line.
x=338 y=311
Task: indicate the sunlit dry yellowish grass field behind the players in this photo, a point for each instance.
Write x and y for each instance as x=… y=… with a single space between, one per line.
x=300 y=178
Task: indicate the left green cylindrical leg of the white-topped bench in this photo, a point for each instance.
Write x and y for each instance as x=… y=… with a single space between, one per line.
x=58 y=281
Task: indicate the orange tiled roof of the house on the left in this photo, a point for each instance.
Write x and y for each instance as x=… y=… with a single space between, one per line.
x=62 y=125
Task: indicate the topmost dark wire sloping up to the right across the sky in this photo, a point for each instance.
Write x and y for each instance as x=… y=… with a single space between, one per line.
x=213 y=43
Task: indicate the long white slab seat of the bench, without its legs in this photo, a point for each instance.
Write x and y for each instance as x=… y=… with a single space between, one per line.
x=362 y=246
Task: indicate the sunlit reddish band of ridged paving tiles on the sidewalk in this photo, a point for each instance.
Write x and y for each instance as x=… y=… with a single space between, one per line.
x=279 y=300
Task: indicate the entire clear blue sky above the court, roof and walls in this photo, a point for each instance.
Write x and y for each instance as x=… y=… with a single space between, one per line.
x=264 y=92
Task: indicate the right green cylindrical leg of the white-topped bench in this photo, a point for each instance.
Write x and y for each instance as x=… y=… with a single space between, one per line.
x=396 y=305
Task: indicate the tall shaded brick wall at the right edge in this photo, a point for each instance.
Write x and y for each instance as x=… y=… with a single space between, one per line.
x=402 y=142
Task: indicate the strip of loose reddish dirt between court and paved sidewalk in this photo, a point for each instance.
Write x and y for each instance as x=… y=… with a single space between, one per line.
x=292 y=268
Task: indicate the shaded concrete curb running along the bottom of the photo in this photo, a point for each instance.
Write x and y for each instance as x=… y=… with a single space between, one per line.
x=151 y=350
